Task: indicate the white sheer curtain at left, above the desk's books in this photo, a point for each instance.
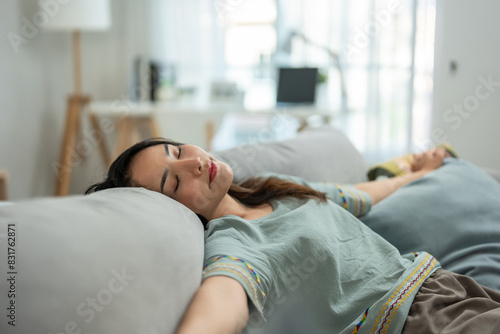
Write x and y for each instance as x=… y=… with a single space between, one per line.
x=187 y=35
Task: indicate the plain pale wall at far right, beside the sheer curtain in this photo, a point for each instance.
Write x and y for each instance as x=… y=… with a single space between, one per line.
x=466 y=110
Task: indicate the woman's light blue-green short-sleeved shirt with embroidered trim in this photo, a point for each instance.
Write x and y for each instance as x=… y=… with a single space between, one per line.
x=320 y=257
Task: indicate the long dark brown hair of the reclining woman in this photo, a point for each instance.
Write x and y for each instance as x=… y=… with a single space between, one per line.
x=252 y=192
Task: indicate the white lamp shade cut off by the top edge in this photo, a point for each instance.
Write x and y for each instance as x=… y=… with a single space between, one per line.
x=76 y=14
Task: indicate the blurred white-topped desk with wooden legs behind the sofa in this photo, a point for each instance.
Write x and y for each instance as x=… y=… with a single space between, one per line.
x=127 y=117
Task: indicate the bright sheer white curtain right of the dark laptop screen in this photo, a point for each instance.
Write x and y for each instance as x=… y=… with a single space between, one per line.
x=386 y=51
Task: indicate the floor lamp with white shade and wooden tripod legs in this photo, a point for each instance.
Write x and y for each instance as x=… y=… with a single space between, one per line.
x=75 y=16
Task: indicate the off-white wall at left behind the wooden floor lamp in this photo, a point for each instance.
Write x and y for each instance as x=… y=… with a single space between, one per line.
x=36 y=80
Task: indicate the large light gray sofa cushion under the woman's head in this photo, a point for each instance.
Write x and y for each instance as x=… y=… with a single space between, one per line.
x=117 y=261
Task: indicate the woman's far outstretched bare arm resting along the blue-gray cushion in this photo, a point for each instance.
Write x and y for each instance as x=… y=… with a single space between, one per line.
x=378 y=190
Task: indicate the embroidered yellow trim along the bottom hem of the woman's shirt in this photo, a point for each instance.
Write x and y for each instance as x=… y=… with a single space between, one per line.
x=405 y=289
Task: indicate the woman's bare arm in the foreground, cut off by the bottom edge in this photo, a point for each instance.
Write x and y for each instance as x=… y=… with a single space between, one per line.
x=219 y=306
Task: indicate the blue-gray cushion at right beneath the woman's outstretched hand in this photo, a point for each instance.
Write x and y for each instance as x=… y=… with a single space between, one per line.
x=452 y=213
